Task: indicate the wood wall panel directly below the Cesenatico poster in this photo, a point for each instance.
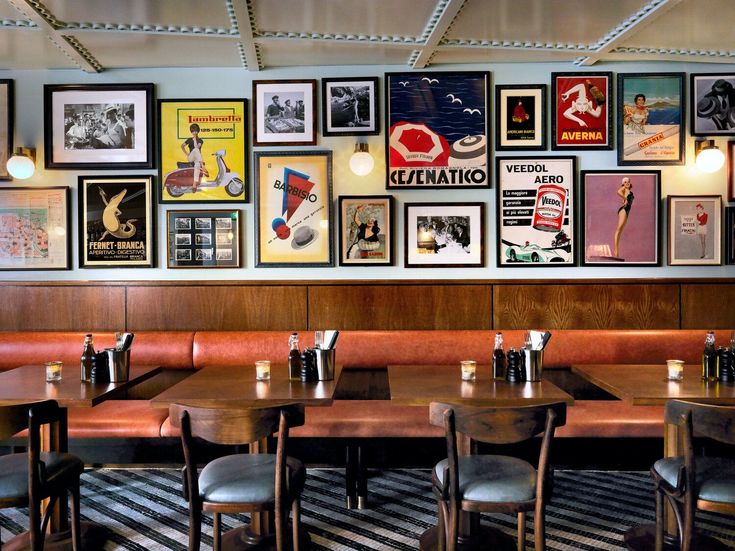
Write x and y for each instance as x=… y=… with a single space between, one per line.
x=396 y=307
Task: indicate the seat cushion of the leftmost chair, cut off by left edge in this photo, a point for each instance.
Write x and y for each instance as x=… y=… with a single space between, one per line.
x=14 y=471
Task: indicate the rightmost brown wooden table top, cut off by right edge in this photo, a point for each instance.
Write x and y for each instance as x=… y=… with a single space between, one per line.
x=646 y=385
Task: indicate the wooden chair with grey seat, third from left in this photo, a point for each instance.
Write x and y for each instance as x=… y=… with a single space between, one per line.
x=493 y=483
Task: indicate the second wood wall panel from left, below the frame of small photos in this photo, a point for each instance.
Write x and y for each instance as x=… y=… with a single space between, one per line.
x=216 y=308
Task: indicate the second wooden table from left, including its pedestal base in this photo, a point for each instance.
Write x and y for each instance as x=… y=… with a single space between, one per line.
x=228 y=386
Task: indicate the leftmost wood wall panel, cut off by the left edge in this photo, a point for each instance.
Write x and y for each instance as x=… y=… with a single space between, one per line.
x=77 y=308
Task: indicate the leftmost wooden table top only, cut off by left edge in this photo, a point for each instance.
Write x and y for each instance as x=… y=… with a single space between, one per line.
x=28 y=384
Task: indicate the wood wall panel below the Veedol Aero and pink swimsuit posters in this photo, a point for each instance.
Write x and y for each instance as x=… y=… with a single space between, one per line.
x=594 y=306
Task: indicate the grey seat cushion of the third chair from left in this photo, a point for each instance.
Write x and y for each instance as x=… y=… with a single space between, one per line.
x=492 y=478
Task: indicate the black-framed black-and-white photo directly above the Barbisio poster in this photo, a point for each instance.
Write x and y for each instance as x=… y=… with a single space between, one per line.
x=284 y=112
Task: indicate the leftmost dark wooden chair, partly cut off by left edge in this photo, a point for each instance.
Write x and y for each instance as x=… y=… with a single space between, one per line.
x=29 y=477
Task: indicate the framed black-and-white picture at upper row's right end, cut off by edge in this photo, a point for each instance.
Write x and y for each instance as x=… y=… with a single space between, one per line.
x=713 y=104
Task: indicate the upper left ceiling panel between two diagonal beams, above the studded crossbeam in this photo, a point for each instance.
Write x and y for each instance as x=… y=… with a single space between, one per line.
x=205 y=13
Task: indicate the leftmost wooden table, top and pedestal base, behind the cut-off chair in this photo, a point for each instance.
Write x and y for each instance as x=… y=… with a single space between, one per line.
x=28 y=384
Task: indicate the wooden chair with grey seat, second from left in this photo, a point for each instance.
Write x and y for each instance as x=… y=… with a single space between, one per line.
x=241 y=482
